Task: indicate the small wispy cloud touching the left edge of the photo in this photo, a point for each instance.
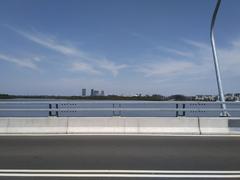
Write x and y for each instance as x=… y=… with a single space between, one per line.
x=22 y=62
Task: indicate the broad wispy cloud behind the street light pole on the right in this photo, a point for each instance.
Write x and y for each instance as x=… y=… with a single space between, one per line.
x=197 y=64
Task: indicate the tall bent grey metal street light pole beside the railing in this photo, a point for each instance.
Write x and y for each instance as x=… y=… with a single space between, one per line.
x=216 y=64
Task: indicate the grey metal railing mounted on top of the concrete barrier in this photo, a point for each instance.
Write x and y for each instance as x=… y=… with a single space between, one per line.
x=54 y=108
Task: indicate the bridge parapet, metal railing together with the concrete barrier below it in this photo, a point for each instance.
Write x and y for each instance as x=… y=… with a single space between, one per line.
x=116 y=117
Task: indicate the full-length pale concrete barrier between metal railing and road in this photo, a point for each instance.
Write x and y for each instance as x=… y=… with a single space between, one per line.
x=119 y=125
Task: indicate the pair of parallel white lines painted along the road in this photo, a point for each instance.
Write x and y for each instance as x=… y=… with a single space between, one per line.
x=119 y=173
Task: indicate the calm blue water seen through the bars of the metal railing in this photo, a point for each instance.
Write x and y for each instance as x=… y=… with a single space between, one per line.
x=33 y=104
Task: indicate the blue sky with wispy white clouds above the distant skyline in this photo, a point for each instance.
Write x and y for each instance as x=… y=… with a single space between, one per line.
x=124 y=47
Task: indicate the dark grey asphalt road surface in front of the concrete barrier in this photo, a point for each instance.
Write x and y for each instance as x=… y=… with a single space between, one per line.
x=119 y=153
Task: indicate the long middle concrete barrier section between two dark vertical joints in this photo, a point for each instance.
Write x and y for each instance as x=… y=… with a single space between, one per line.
x=131 y=125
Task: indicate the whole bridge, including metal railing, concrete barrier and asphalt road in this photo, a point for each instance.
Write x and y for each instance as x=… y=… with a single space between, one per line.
x=58 y=139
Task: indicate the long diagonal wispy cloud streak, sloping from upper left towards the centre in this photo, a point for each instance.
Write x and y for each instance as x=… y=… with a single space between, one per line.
x=83 y=61
